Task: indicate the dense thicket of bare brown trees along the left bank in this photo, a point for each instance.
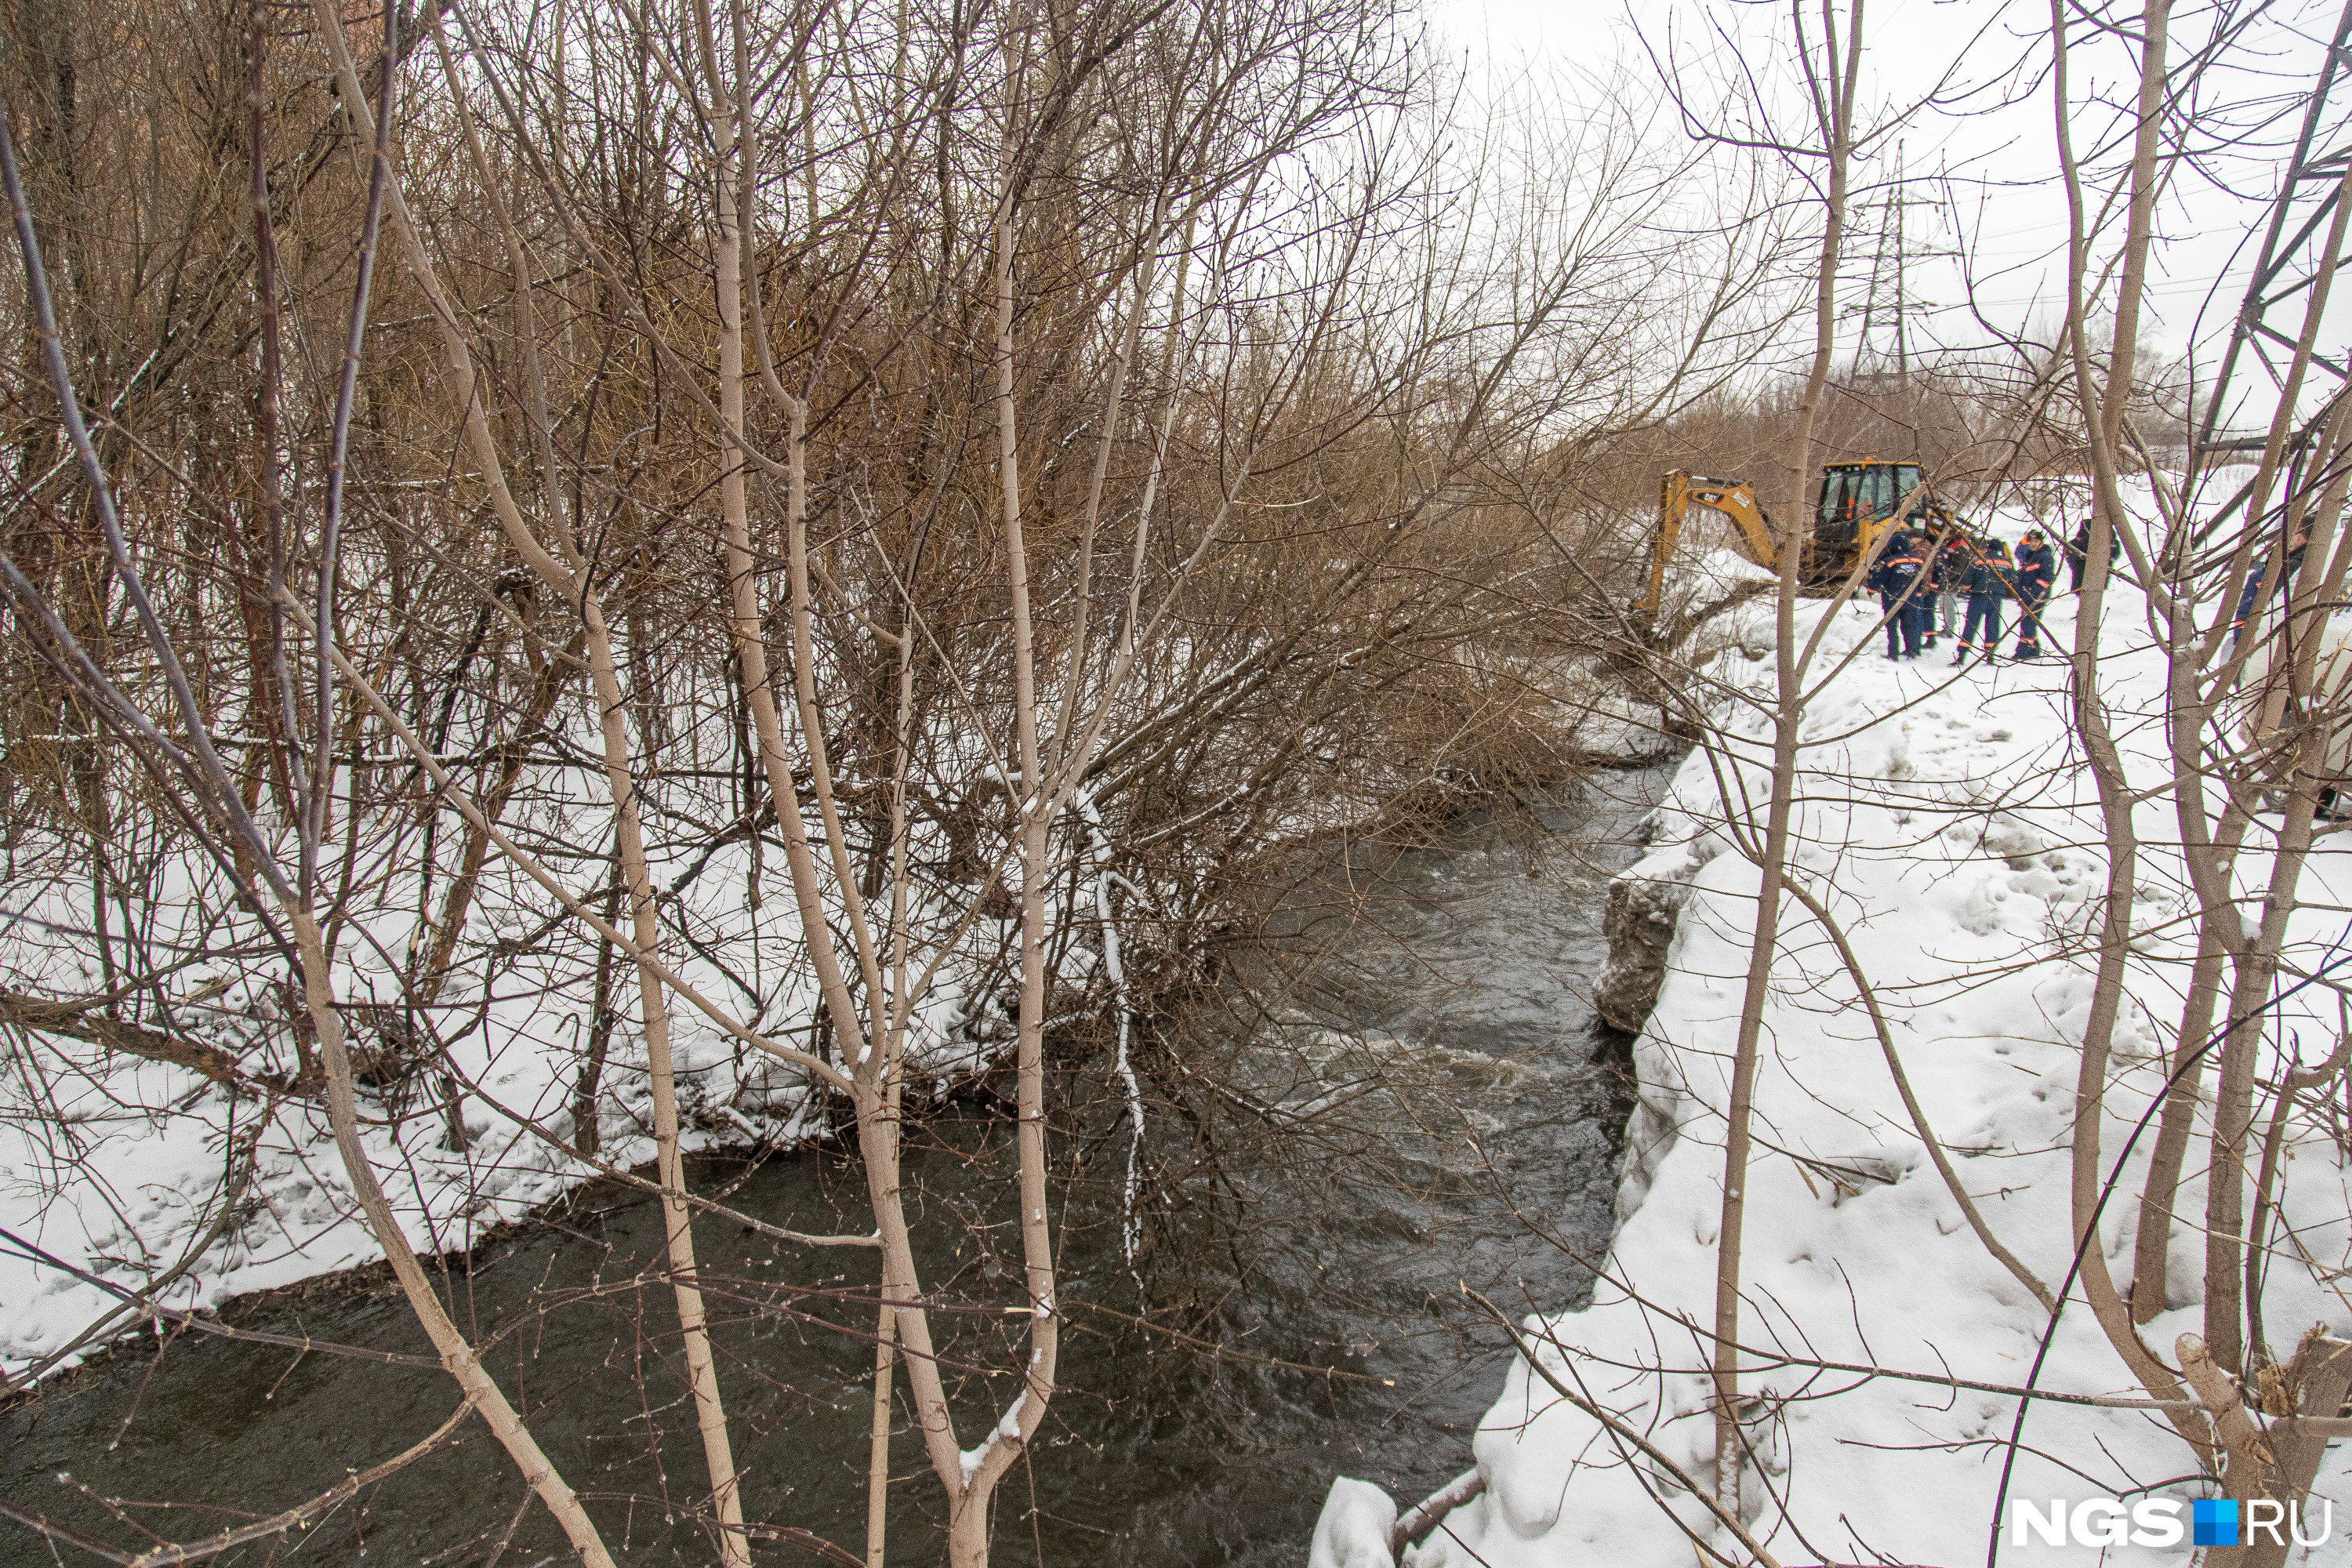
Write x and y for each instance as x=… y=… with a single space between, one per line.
x=1029 y=474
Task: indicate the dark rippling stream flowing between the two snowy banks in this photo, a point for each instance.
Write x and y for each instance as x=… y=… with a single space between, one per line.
x=1398 y=1094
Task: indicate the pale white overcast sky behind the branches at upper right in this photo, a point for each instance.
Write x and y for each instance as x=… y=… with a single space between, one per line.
x=2000 y=196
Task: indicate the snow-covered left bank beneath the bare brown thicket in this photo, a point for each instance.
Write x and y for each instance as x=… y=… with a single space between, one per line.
x=121 y=1170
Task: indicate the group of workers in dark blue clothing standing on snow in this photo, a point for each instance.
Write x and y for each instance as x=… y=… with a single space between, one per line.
x=1965 y=582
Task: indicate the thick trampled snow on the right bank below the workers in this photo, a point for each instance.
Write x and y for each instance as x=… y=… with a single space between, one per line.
x=1951 y=826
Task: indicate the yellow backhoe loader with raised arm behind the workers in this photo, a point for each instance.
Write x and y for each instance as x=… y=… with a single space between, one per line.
x=1859 y=504
